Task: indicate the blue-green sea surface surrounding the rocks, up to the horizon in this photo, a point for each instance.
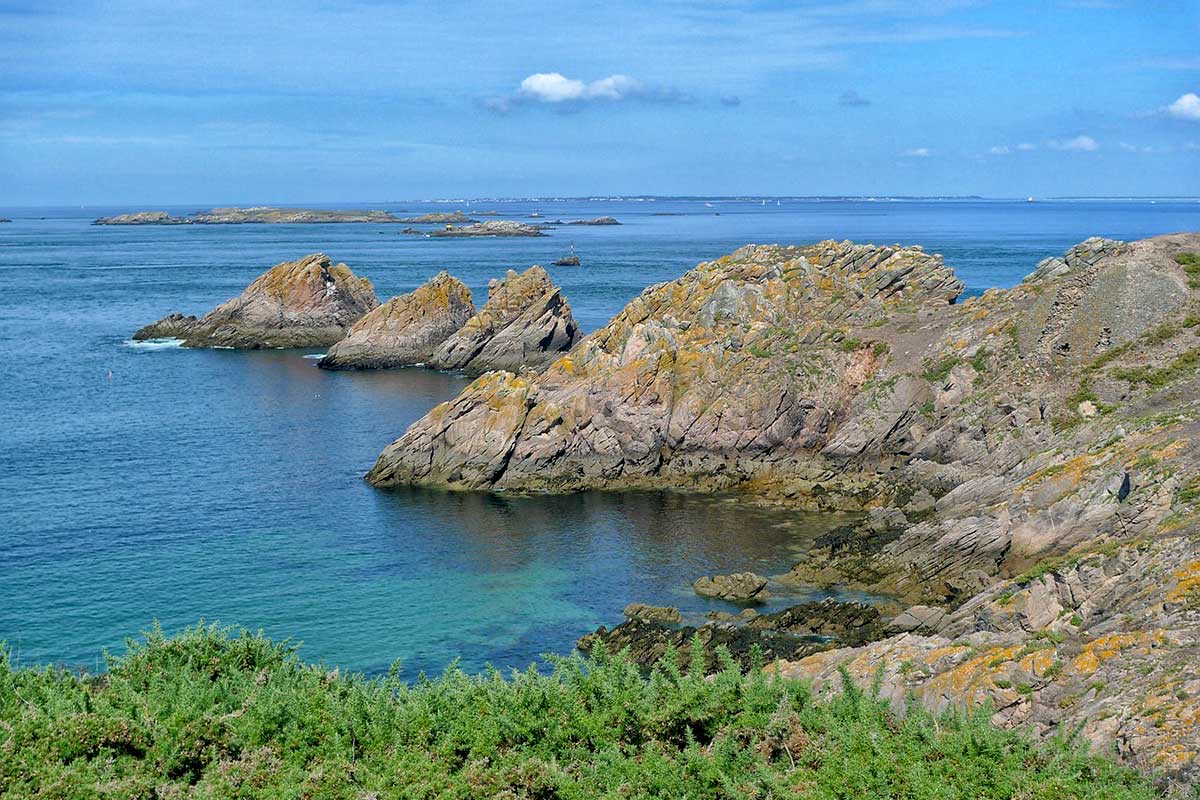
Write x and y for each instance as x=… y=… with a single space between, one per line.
x=142 y=484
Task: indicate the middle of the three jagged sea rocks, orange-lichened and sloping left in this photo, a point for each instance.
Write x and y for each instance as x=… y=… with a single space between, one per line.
x=406 y=330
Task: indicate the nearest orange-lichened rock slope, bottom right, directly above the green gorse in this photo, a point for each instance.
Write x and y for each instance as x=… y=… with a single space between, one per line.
x=1106 y=646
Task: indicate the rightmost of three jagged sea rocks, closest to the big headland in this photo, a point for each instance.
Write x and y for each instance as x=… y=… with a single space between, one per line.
x=525 y=324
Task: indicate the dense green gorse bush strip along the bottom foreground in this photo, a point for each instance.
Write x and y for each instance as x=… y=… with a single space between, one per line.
x=221 y=714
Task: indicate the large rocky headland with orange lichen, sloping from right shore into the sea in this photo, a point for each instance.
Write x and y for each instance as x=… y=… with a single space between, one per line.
x=1025 y=462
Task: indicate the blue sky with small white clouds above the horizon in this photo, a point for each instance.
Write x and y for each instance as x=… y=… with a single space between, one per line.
x=145 y=103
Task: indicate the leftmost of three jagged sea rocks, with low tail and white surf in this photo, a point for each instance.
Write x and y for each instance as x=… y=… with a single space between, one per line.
x=308 y=303
